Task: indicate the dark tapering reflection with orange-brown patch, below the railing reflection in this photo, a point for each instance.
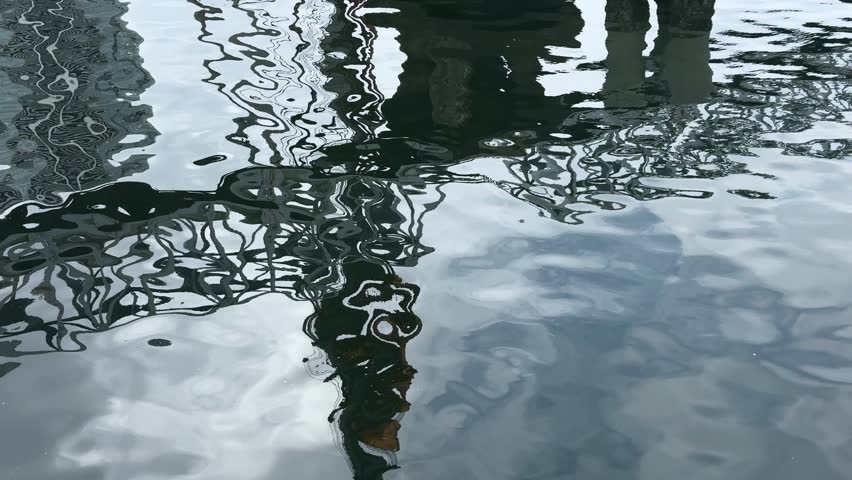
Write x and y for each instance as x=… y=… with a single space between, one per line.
x=363 y=331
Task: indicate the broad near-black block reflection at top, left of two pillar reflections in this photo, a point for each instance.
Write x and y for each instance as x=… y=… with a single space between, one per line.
x=472 y=68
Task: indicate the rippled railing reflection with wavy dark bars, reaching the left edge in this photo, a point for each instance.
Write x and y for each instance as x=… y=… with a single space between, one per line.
x=96 y=263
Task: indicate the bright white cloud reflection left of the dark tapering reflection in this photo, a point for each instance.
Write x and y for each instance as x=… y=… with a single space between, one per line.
x=230 y=398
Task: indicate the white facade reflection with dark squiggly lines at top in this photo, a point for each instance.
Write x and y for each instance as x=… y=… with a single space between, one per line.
x=269 y=68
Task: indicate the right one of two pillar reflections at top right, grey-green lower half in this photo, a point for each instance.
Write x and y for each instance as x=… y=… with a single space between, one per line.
x=682 y=49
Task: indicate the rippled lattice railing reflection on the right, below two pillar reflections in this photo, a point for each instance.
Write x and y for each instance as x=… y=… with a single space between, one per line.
x=613 y=153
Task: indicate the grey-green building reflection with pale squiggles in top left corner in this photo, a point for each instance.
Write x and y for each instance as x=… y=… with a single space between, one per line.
x=75 y=73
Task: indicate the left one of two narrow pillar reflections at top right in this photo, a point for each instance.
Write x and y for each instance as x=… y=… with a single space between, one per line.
x=627 y=23
